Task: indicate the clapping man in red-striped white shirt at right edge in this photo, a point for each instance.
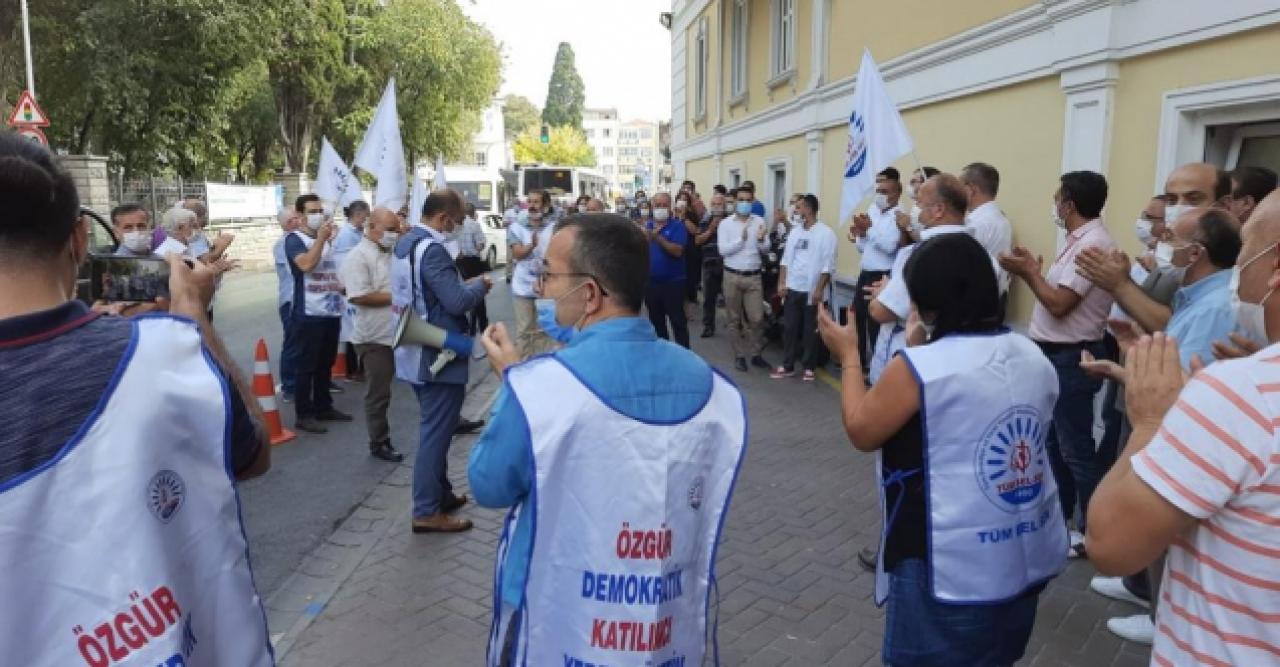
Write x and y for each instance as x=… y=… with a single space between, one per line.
x=1201 y=477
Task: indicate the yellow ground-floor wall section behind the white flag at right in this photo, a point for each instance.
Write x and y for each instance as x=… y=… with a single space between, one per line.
x=1027 y=152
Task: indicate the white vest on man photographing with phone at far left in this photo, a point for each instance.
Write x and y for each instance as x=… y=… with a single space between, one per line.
x=127 y=549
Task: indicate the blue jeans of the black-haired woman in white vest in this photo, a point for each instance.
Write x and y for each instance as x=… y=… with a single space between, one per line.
x=921 y=632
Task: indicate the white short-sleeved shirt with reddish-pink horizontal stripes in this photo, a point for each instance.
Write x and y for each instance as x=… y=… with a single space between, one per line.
x=1217 y=458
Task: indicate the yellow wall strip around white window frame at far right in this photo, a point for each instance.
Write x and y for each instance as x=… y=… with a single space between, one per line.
x=1140 y=92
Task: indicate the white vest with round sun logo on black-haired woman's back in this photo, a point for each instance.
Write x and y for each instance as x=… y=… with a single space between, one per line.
x=995 y=526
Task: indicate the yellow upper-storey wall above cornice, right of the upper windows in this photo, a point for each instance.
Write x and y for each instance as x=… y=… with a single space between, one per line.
x=894 y=29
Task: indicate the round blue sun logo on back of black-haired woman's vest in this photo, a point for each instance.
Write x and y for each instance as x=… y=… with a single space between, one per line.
x=1011 y=459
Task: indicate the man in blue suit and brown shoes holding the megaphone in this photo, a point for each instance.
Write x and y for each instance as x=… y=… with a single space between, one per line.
x=426 y=278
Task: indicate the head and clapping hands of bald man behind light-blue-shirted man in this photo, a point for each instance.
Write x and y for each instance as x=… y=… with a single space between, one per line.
x=1187 y=188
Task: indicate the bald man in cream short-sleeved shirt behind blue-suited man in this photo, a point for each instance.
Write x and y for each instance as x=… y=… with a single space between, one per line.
x=367 y=277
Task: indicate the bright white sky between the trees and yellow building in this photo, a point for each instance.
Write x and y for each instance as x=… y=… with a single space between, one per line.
x=623 y=53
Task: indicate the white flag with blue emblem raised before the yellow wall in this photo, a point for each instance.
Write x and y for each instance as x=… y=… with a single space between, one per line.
x=877 y=136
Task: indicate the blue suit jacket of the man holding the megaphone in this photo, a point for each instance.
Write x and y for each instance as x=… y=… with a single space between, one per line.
x=449 y=299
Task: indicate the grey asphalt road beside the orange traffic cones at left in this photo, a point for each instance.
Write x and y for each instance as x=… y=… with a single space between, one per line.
x=316 y=481
